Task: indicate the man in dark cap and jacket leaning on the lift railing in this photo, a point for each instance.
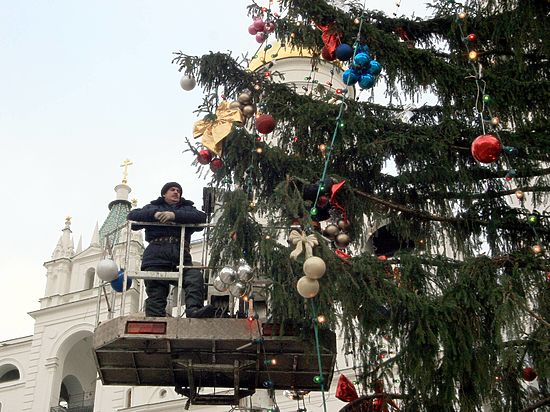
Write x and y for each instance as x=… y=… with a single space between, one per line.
x=163 y=252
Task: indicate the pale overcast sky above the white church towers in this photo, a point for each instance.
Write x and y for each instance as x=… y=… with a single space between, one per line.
x=83 y=86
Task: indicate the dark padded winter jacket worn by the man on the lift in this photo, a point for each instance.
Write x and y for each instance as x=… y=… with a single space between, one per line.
x=166 y=255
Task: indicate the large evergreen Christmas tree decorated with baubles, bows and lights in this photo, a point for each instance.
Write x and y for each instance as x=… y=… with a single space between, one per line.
x=431 y=220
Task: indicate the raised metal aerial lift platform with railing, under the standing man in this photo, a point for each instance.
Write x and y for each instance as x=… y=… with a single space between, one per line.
x=229 y=355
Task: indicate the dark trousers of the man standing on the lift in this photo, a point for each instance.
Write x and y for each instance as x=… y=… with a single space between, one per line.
x=157 y=291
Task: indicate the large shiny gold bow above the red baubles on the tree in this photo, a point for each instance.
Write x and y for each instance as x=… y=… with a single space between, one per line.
x=214 y=131
